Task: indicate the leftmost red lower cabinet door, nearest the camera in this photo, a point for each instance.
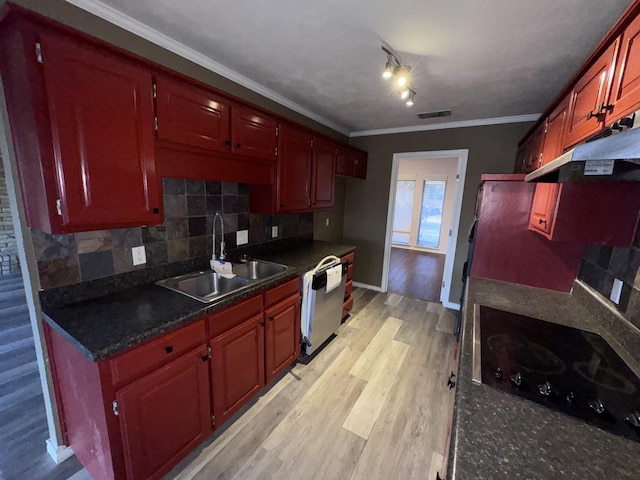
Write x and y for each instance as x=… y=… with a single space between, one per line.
x=164 y=415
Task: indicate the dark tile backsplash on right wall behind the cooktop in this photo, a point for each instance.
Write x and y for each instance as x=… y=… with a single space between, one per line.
x=601 y=265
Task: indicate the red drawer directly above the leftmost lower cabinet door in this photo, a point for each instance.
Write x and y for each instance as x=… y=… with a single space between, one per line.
x=150 y=356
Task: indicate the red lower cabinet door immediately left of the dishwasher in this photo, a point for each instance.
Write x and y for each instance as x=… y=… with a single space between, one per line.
x=282 y=335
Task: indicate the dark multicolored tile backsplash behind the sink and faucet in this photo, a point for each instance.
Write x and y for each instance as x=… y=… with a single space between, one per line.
x=189 y=207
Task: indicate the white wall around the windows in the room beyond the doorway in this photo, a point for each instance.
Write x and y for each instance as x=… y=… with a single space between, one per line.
x=428 y=168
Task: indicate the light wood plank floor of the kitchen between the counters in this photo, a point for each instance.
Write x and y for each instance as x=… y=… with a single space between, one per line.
x=372 y=405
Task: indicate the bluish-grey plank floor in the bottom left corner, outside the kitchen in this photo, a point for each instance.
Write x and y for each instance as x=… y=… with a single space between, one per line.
x=23 y=431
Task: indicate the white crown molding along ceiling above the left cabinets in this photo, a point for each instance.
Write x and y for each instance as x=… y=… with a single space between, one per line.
x=132 y=25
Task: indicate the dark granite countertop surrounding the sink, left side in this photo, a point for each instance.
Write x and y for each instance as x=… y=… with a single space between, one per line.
x=106 y=325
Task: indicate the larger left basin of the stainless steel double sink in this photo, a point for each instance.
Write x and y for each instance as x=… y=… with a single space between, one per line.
x=204 y=286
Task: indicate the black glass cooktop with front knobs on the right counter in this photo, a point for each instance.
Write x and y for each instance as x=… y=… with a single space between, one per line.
x=563 y=368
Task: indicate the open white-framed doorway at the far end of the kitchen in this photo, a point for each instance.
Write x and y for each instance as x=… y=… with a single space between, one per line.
x=425 y=200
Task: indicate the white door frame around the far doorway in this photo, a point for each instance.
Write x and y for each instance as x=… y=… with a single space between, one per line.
x=462 y=155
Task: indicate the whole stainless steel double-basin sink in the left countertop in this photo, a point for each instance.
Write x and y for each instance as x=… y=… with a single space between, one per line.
x=209 y=286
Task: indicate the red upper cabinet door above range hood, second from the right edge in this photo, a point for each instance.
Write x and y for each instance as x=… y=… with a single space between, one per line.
x=587 y=106
